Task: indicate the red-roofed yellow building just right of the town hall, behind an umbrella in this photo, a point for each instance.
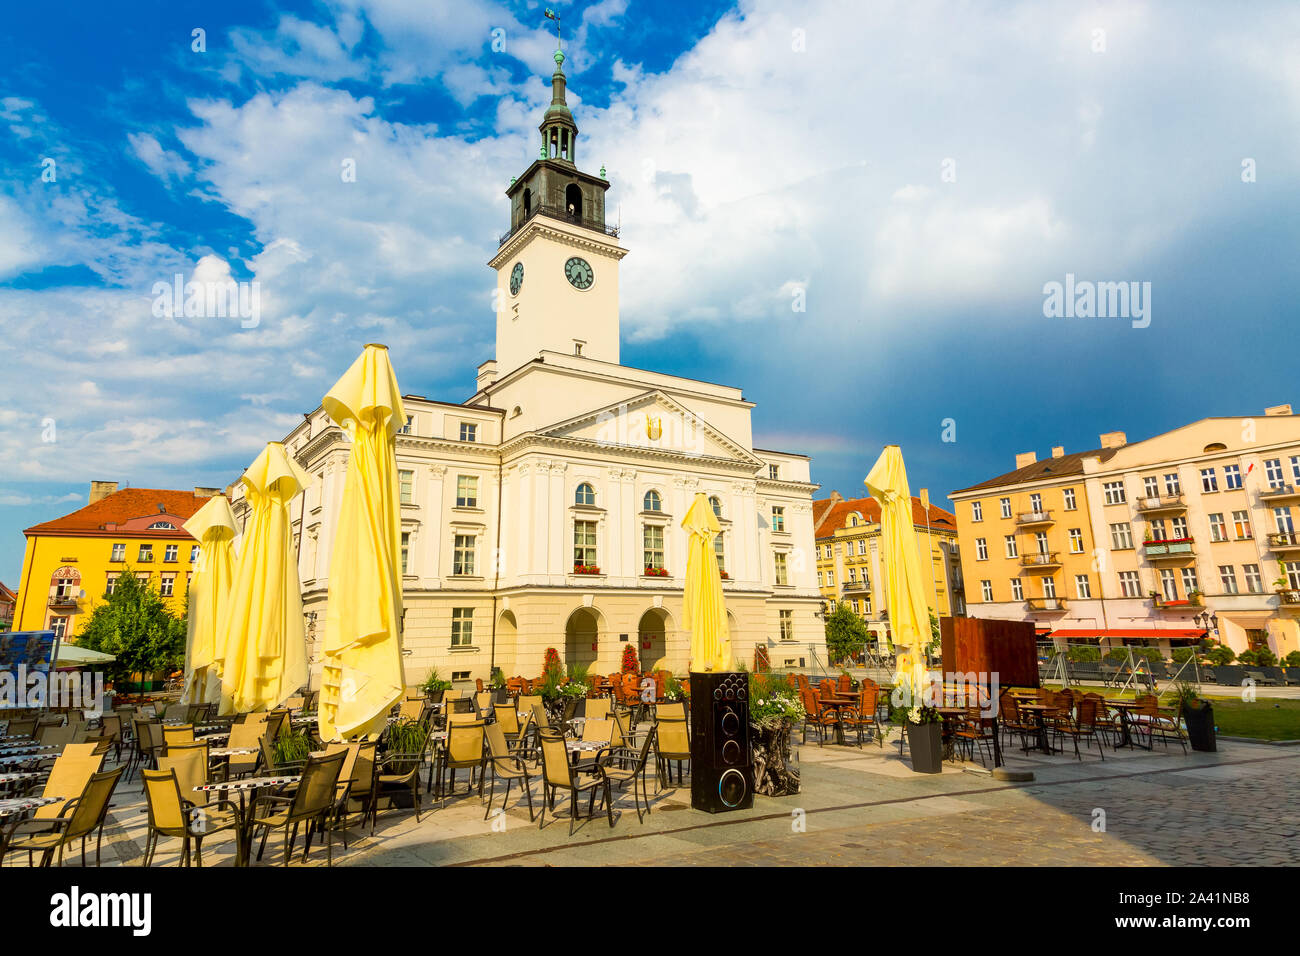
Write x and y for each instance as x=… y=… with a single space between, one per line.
x=851 y=556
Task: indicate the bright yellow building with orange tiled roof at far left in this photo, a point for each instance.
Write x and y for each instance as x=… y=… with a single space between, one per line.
x=72 y=563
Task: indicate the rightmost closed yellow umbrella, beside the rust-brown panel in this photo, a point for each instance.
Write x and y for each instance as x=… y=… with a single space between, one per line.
x=905 y=589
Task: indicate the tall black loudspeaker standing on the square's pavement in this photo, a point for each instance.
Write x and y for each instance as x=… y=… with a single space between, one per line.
x=722 y=767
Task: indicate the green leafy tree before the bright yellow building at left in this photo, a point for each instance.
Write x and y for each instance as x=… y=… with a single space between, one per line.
x=136 y=626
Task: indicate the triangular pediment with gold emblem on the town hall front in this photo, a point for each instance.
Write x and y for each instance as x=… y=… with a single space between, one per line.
x=652 y=421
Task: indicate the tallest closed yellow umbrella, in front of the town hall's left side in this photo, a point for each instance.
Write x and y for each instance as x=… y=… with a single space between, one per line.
x=362 y=671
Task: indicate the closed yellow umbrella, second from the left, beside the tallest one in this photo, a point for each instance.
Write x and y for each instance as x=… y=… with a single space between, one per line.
x=263 y=630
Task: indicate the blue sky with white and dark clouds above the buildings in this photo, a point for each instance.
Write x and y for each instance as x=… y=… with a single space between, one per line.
x=755 y=152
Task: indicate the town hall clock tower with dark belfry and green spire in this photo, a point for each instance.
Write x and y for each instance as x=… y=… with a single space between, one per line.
x=558 y=266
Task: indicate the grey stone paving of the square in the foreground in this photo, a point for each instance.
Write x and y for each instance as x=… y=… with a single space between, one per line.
x=1237 y=807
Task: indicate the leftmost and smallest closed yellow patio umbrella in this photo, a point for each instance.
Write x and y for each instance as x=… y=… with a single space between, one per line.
x=214 y=527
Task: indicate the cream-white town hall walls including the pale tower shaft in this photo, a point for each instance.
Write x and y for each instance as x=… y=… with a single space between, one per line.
x=495 y=514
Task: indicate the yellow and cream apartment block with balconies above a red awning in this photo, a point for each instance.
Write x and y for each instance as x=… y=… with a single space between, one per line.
x=1151 y=543
